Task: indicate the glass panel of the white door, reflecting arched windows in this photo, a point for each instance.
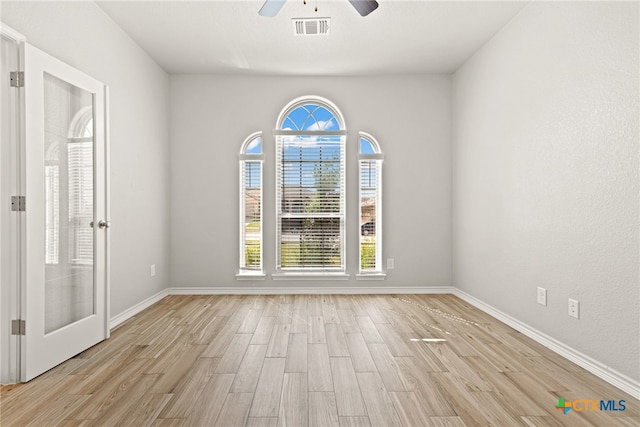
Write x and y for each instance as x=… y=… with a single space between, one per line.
x=69 y=203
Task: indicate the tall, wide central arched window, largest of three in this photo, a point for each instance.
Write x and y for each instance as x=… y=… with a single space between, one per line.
x=310 y=187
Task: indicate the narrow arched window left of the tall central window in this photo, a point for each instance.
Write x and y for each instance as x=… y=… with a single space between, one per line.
x=251 y=159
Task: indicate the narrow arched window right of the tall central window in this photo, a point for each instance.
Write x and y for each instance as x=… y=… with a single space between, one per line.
x=370 y=203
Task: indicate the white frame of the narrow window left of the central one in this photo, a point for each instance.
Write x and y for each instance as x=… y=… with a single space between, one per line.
x=244 y=272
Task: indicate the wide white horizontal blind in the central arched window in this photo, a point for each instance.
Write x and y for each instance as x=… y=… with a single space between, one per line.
x=310 y=202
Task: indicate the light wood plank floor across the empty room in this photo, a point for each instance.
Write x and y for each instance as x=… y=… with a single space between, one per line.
x=313 y=360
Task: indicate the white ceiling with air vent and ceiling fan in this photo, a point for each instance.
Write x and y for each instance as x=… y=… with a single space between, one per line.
x=229 y=37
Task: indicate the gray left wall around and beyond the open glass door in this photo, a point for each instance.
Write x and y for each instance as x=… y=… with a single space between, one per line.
x=80 y=34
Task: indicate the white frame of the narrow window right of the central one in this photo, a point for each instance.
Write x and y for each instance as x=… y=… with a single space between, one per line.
x=376 y=158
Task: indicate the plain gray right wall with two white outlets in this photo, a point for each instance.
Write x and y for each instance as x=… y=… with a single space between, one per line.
x=545 y=179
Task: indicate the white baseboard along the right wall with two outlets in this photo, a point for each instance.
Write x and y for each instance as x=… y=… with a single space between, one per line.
x=616 y=379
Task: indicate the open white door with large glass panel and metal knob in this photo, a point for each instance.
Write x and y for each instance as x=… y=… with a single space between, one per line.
x=64 y=272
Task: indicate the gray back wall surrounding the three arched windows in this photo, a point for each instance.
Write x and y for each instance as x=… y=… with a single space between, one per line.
x=212 y=115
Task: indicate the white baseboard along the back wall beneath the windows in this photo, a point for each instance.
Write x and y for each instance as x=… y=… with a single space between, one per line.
x=306 y=290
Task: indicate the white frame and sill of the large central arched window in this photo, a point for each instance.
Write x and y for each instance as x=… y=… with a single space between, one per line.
x=314 y=272
